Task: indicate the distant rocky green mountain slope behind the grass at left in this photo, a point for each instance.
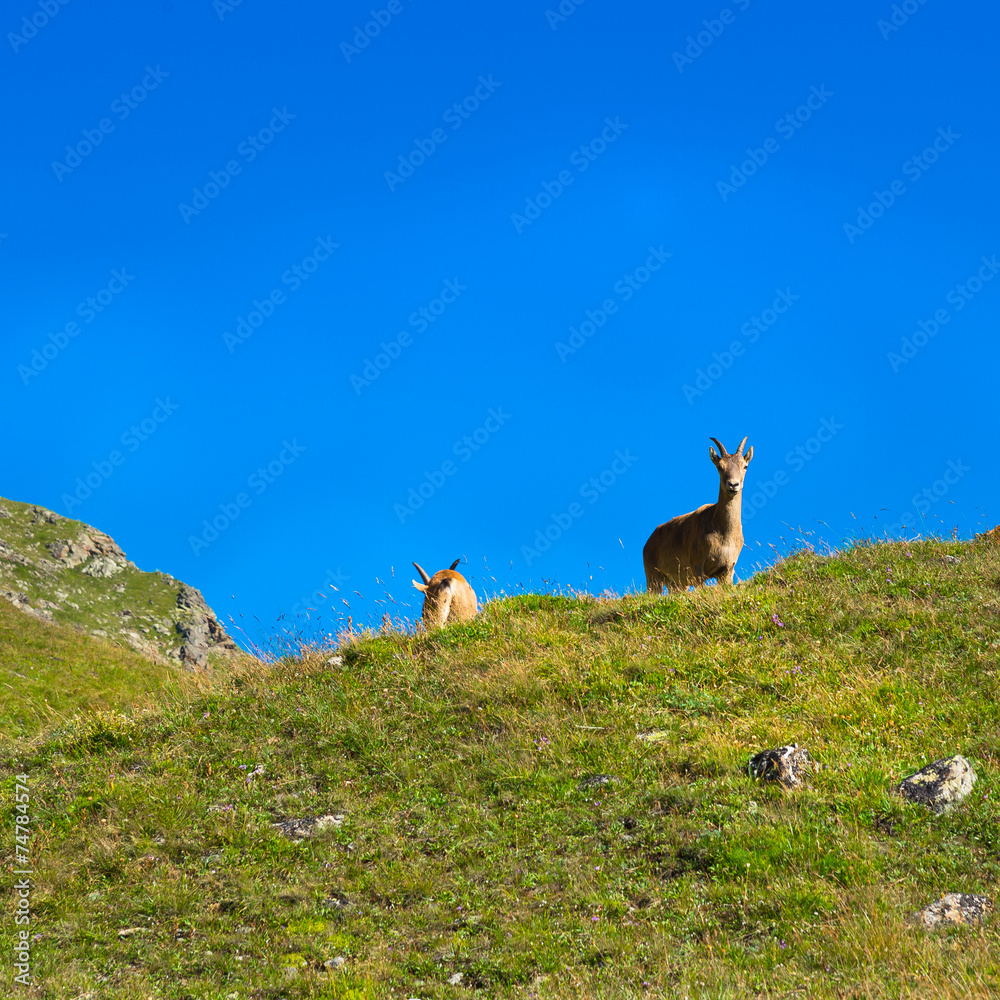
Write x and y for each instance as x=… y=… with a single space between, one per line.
x=66 y=572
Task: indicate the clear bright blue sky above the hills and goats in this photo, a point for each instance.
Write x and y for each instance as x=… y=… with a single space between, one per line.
x=361 y=285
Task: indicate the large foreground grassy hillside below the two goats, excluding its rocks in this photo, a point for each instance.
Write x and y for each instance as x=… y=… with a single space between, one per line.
x=471 y=841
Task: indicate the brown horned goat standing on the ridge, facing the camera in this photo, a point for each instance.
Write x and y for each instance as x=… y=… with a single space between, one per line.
x=705 y=543
